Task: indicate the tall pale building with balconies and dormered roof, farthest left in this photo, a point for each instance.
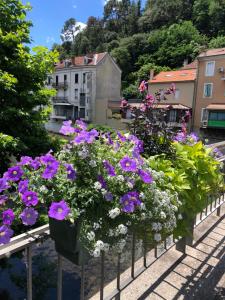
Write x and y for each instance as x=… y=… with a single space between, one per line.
x=85 y=85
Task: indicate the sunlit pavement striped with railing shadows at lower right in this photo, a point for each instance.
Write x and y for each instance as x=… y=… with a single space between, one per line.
x=197 y=275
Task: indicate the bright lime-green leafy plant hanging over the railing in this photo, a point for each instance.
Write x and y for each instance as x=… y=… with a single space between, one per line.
x=196 y=177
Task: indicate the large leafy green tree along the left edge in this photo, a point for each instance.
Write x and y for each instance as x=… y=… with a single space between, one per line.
x=23 y=96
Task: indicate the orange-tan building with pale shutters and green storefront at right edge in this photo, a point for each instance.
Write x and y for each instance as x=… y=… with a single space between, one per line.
x=209 y=109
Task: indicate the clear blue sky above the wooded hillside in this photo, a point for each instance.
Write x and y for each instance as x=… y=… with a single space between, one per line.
x=48 y=17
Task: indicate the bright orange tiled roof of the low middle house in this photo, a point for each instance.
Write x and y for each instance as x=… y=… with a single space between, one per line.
x=175 y=76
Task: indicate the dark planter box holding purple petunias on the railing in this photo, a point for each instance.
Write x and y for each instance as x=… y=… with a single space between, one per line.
x=66 y=237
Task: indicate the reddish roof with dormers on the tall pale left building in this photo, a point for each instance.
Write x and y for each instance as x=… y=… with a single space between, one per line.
x=94 y=59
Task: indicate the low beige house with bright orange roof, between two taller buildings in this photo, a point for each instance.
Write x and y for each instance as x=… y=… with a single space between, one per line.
x=182 y=100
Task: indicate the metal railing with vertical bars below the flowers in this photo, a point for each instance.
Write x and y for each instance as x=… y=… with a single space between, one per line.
x=26 y=240
